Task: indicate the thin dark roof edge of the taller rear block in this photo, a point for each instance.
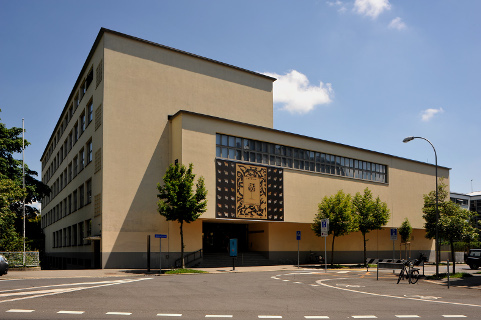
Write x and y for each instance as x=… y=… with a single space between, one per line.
x=92 y=50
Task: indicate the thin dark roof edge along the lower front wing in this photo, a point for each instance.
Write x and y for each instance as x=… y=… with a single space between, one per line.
x=296 y=135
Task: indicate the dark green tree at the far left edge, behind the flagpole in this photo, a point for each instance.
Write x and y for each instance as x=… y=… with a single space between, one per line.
x=11 y=176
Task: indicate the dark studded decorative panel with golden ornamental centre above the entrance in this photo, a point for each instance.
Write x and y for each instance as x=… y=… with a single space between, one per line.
x=245 y=191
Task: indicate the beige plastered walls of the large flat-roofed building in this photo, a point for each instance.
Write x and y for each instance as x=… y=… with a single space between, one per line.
x=151 y=105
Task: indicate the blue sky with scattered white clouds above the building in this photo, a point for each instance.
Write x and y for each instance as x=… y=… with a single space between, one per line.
x=365 y=73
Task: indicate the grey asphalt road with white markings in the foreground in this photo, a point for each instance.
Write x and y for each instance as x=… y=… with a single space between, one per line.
x=288 y=294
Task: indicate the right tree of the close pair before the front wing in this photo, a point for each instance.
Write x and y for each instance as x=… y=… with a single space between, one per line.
x=370 y=214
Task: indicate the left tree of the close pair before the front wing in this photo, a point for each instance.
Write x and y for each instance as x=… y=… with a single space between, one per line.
x=338 y=209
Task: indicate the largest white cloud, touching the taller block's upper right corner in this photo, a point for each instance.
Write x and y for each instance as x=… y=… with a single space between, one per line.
x=295 y=93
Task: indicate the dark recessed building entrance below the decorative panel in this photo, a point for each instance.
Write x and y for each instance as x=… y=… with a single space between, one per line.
x=216 y=236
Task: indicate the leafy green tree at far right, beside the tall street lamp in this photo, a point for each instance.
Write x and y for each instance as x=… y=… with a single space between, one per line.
x=454 y=224
